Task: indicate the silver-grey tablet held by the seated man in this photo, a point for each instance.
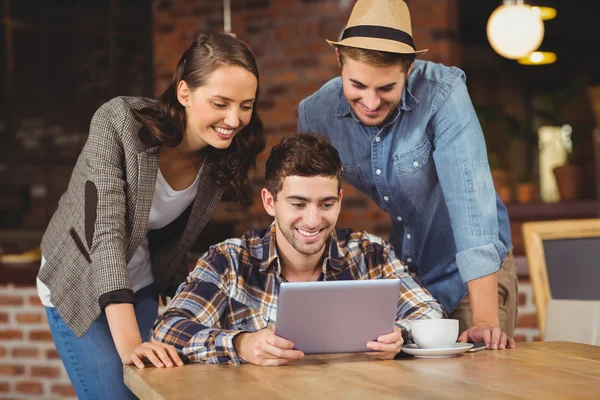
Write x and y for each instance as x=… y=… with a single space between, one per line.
x=336 y=316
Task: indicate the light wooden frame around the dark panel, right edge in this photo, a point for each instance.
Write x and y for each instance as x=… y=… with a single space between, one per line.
x=534 y=234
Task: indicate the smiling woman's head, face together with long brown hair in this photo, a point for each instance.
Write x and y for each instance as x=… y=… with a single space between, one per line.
x=210 y=100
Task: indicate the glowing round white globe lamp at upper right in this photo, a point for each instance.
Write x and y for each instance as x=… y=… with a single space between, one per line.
x=515 y=30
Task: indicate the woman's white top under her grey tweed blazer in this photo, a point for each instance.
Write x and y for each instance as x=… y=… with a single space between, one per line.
x=167 y=205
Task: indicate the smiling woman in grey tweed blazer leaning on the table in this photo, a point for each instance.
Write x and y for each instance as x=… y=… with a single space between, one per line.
x=145 y=185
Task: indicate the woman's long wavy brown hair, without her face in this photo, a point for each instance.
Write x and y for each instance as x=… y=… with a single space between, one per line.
x=166 y=122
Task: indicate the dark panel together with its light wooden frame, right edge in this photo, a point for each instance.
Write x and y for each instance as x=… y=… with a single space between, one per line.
x=564 y=261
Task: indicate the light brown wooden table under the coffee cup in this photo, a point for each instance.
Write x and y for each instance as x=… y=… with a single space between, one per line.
x=540 y=370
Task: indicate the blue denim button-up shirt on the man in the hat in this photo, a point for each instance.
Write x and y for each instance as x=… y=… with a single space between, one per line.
x=427 y=168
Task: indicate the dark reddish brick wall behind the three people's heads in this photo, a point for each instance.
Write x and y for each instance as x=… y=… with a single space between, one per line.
x=288 y=39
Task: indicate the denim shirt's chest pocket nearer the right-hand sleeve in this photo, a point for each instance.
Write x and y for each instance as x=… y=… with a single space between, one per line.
x=416 y=172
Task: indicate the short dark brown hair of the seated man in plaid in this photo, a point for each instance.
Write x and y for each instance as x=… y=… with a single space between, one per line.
x=303 y=154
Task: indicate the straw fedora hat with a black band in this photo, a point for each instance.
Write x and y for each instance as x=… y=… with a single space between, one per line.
x=382 y=25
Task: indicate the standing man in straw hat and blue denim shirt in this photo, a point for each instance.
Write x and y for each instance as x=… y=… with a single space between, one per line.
x=408 y=137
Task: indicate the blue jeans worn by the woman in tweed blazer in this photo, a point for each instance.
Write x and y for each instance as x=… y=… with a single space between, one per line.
x=92 y=362
